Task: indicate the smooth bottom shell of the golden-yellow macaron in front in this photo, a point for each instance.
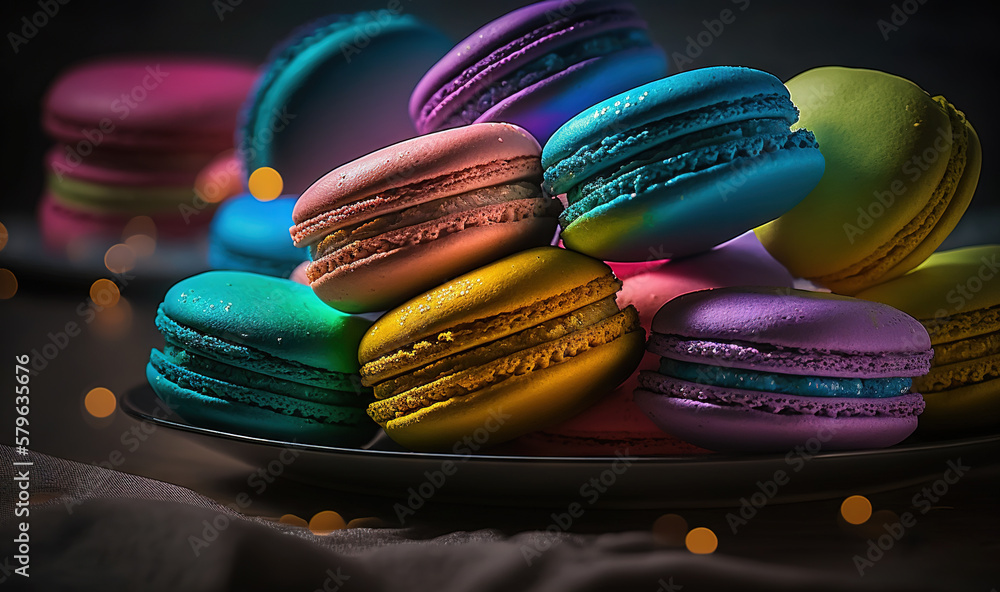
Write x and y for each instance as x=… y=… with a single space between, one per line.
x=520 y=404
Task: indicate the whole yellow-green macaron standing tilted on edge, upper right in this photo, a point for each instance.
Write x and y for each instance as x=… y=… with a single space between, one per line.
x=902 y=167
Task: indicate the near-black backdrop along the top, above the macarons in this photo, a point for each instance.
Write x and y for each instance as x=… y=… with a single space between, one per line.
x=947 y=47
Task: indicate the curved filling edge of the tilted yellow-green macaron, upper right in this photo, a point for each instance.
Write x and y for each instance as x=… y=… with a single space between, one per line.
x=888 y=255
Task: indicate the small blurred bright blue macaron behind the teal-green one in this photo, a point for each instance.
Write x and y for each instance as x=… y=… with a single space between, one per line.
x=252 y=235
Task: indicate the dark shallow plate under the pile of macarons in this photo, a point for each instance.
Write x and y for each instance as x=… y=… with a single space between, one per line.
x=713 y=480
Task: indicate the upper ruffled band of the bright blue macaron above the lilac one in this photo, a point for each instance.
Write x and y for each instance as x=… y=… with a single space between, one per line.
x=595 y=157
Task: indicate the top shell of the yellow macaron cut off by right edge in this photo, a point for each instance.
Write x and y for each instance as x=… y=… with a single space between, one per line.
x=930 y=291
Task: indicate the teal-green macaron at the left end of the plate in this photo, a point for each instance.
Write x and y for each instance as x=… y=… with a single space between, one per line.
x=260 y=356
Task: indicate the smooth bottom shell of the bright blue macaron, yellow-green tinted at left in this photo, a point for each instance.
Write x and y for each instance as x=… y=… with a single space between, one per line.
x=693 y=212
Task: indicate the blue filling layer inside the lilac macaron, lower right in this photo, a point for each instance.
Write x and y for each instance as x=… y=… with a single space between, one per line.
x=789 y=384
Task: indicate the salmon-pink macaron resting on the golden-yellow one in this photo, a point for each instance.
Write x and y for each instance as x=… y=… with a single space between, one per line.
x=406 y=218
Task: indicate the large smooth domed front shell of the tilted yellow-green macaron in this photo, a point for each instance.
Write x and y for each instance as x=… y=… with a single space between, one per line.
x=869 y=125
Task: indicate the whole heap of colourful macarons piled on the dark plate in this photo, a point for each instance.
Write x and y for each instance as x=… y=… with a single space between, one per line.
x=491 y=333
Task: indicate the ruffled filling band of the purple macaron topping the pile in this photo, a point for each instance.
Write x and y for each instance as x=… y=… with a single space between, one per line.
x=595 y=36
